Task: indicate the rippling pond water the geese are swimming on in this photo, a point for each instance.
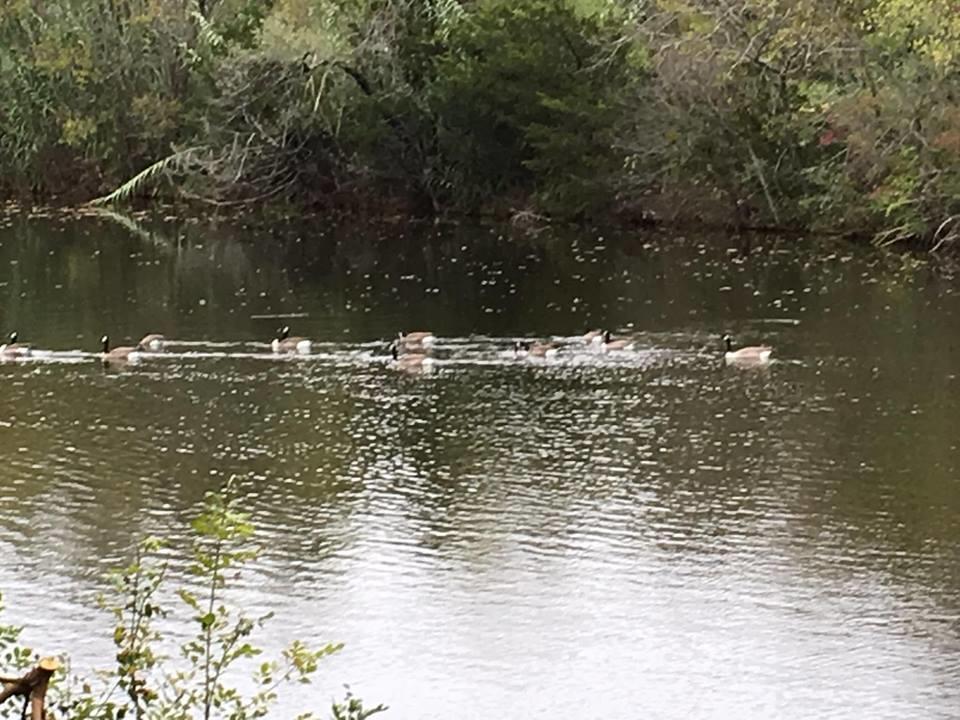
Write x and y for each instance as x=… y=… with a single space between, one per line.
x=649 y=534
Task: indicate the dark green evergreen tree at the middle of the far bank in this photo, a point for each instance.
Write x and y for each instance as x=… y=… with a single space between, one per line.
x=525 y=95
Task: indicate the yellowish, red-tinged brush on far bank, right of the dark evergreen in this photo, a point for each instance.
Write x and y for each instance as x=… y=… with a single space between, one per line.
x=823 y=115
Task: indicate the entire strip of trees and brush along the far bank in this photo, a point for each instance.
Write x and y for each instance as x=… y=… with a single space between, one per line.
x=838 y=116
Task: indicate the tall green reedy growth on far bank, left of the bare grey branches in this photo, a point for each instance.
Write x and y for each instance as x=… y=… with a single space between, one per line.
x=91 y=85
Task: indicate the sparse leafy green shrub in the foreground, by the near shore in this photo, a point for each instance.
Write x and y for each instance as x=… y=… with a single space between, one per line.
x=146 y=684
